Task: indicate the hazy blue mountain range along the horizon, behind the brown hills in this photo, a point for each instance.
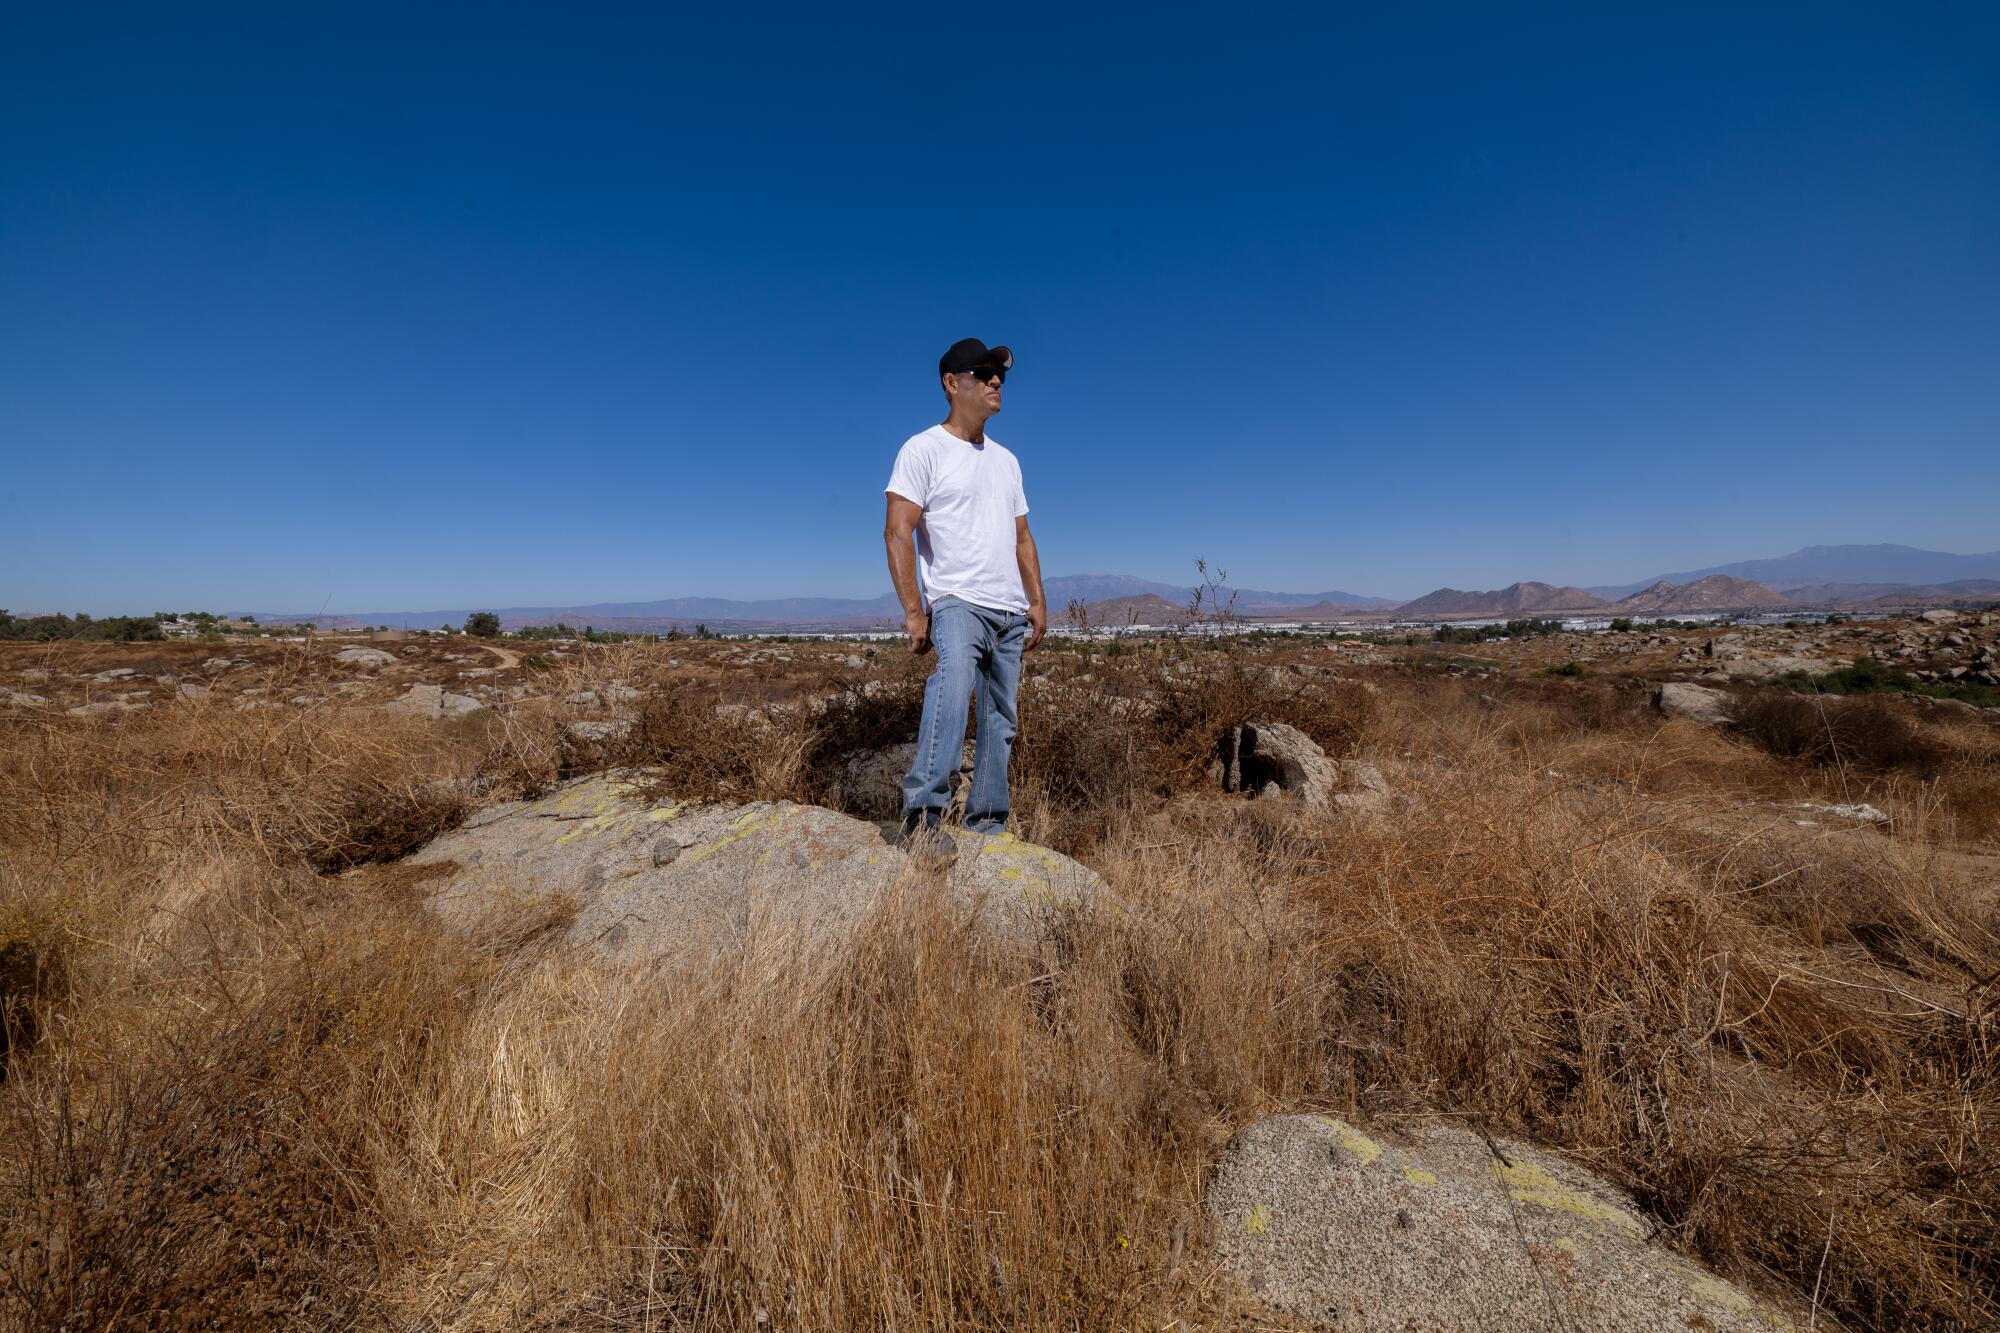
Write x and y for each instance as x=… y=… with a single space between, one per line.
x=1877 y=577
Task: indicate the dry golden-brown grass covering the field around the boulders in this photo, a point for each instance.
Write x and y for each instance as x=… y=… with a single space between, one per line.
x=245 y=1094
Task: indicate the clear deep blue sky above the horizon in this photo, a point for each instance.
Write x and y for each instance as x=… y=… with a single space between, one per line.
x=401 y=307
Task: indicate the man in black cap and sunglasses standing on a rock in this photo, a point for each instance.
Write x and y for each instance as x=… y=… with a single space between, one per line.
x=959 y=495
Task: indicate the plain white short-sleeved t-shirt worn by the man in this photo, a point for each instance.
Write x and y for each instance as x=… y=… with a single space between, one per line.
x=971 y=497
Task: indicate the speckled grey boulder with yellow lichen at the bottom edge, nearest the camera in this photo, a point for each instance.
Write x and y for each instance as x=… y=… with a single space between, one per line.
x=1447 y=1230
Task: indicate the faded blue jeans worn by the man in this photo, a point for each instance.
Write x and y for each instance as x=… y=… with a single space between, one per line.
x=979 y=655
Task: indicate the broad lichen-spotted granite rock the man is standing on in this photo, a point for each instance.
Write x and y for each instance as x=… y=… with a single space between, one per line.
x=655 y=882
